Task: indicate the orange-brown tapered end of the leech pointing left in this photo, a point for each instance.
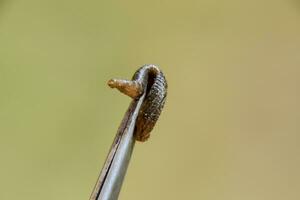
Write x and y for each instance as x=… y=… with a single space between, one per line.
x=132 y=89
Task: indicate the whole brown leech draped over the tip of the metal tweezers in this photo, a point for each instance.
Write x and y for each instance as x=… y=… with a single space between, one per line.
x=147 y=79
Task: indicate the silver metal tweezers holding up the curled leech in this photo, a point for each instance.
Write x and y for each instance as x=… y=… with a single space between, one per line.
x=112 y=175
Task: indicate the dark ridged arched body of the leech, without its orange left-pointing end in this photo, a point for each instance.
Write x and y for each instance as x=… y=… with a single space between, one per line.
x=156 y=92
